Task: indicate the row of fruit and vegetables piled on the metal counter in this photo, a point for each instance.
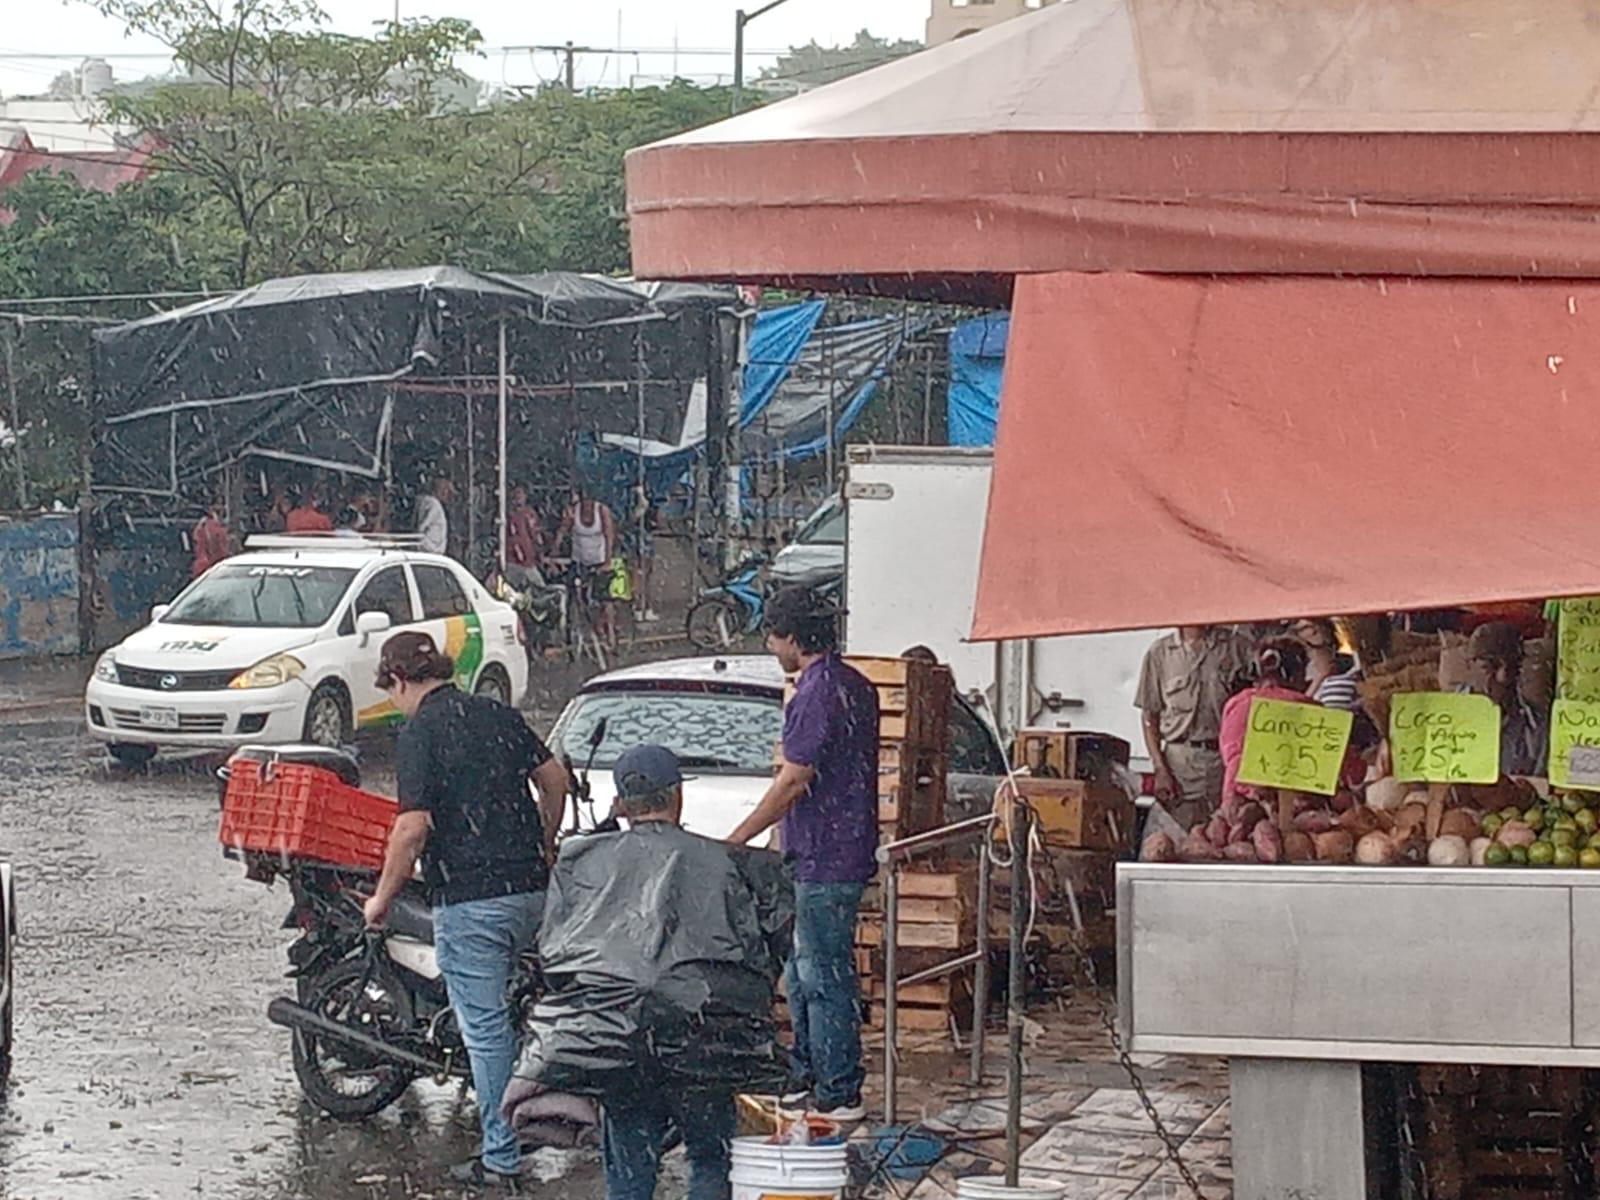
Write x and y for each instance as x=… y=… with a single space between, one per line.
x=1506 y=825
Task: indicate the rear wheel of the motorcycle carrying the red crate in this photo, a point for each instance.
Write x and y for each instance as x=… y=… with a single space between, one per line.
x=346 y=1082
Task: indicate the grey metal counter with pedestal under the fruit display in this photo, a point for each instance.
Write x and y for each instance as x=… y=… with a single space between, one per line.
x=1298 y=975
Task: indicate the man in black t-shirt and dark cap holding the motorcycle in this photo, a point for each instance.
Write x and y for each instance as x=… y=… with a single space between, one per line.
x=465 y=767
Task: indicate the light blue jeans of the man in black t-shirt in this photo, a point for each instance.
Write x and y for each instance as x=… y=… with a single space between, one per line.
x=478 y=945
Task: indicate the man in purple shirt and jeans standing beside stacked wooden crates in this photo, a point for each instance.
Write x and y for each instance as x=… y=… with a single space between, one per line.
x=826 y=799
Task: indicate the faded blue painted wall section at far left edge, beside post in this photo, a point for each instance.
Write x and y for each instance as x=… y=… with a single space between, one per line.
x=39 y=586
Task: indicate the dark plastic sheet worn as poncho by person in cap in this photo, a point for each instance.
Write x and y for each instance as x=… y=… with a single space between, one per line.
x=662 y=954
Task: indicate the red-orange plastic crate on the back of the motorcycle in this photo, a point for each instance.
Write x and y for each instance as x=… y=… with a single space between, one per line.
x=302 y=812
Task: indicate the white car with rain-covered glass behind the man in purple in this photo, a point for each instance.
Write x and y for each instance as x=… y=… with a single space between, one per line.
x=724 y=718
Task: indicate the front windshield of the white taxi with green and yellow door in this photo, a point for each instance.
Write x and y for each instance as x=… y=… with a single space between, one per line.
x=271 y=598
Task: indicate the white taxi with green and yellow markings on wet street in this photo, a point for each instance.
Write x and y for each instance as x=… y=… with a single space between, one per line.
x=281 y=646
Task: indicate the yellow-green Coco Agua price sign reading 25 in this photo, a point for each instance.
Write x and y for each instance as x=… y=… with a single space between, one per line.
x=1444 y=738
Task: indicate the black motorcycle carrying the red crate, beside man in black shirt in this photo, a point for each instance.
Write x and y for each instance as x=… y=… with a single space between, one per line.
x=370 y=1012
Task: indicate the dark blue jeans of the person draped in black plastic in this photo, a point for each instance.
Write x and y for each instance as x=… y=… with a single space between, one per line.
x=636 y=1126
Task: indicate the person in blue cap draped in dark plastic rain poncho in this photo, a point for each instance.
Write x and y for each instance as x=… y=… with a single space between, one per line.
x=662 y=953
